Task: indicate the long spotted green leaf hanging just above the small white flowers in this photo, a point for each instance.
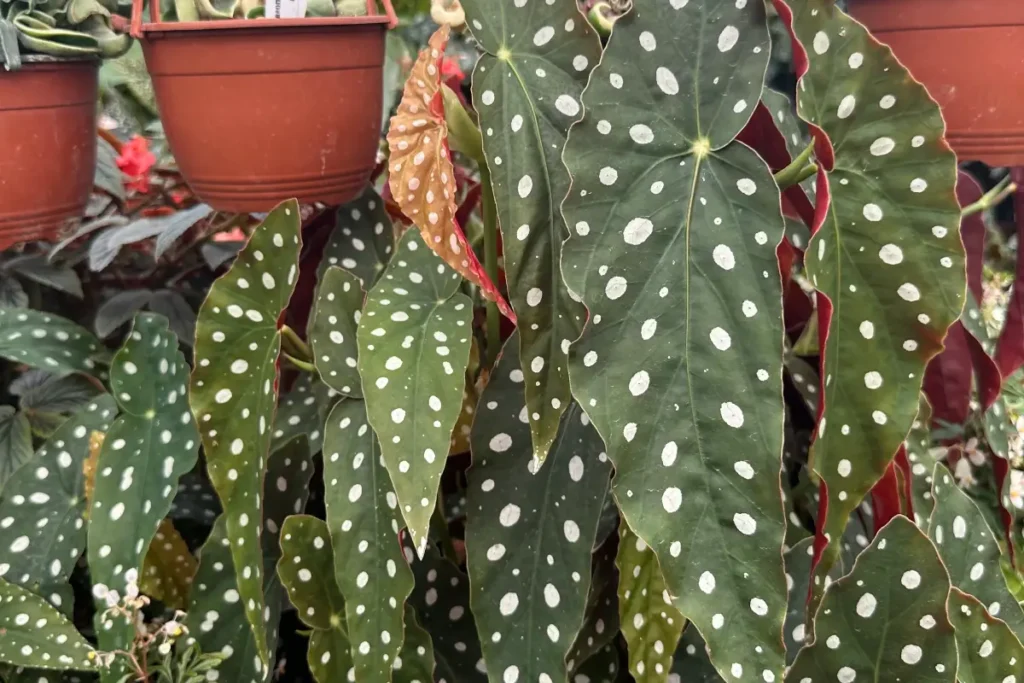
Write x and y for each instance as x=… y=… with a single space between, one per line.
x=151 y=445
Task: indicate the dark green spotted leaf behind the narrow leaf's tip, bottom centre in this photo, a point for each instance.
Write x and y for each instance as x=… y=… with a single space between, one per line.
x=524 y=514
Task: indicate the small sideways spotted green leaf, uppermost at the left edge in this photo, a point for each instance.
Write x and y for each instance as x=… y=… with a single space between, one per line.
x=49 y=343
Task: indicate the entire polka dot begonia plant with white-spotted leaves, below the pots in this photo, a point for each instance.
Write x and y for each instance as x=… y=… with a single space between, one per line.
x=628 y=369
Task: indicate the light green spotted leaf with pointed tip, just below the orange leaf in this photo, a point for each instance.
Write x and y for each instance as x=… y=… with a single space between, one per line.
x=414 y=341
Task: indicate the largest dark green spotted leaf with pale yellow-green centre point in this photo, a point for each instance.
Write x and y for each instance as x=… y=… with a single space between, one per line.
x=680 y=367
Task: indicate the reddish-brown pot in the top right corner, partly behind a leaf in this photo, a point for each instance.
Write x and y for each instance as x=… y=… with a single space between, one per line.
x=969 y=55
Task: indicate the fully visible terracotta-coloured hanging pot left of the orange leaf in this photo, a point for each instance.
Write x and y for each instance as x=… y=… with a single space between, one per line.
x=261 y=111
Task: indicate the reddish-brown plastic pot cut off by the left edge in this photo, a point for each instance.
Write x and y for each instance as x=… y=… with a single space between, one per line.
x=48 y=146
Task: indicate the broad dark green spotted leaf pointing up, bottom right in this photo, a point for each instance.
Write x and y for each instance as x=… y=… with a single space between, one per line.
x=888 y=615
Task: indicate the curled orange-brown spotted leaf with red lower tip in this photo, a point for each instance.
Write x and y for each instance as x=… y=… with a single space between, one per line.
x=422 y=176
